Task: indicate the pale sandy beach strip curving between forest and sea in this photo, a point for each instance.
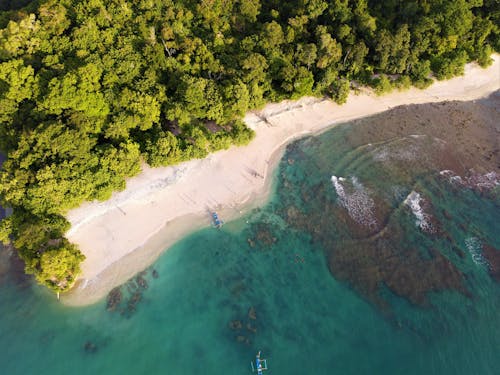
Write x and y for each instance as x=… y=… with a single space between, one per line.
x=125 y=234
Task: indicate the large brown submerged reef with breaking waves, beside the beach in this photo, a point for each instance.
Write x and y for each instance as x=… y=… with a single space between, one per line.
x=371 y=195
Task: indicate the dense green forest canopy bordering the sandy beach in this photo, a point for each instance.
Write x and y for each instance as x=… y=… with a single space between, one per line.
x=89 y=89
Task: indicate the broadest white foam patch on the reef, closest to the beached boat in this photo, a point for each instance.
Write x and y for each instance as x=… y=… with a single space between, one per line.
x=356 y=200
